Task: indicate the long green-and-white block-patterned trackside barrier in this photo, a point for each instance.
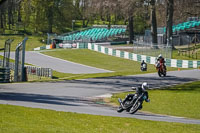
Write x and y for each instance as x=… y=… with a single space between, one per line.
x=135 y=57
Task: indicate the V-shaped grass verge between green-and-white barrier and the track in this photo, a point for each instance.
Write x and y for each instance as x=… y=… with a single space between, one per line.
x=120 y=66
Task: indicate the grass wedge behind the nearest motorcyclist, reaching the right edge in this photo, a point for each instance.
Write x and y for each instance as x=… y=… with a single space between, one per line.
x=181 y=100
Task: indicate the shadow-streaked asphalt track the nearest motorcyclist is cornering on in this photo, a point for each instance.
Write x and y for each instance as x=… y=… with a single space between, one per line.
x=79 y=95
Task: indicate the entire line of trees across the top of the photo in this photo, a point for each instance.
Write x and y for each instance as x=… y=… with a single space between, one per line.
x=42 y=16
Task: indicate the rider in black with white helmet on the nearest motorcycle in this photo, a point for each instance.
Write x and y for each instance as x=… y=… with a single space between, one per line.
x=139 y=91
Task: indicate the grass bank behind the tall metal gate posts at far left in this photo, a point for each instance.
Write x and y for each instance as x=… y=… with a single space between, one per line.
x=32 y=42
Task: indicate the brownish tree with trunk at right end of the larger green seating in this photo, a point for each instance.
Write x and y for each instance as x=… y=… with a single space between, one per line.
x=117 y=10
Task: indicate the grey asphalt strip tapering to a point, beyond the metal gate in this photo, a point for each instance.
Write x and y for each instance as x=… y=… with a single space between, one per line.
x=41 y=60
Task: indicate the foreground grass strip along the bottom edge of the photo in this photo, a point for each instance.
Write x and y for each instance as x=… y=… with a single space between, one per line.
x=23 y=120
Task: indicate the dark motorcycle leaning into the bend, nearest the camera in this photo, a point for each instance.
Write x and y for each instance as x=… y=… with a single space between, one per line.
x=132 y=104
